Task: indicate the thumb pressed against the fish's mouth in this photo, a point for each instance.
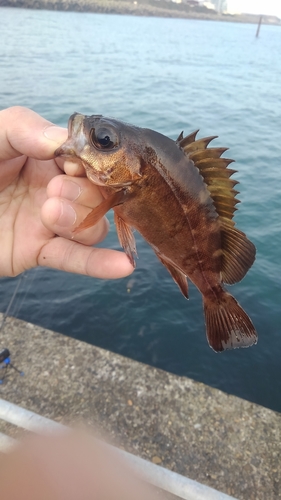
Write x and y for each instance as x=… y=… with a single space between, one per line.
x=24 y=132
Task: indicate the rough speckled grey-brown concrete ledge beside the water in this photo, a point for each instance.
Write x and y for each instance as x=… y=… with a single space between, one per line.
x=216 y=439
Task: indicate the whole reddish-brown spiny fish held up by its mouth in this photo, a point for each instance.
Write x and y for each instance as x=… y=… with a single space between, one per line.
x=179 y=195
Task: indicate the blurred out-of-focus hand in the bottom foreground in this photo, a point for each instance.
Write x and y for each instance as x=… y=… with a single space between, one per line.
x=69 y=466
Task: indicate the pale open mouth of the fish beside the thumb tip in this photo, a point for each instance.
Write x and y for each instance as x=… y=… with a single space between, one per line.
x=76 y=141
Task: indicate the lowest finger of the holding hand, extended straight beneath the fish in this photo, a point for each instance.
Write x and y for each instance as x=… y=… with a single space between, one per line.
x=73 y=257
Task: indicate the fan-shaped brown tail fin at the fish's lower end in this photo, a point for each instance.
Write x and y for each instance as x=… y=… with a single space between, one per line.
x=228 y=326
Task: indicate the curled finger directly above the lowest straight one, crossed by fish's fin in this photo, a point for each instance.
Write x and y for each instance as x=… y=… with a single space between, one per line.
x=62 y=217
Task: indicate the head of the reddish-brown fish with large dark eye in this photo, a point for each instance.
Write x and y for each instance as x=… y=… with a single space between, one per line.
x=109 y=150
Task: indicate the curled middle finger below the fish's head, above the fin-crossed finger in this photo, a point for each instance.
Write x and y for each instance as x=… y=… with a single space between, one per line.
x=78 y=189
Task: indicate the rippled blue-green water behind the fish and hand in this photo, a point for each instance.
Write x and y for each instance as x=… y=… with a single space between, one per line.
x=169 y=75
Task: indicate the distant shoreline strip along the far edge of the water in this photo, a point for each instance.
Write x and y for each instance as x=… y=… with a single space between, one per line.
x=151 y=8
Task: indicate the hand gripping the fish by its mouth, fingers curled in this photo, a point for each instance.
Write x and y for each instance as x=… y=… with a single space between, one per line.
x=40 y=205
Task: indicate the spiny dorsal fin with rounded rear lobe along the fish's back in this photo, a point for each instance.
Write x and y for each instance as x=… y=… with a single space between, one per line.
x=238 y=253
